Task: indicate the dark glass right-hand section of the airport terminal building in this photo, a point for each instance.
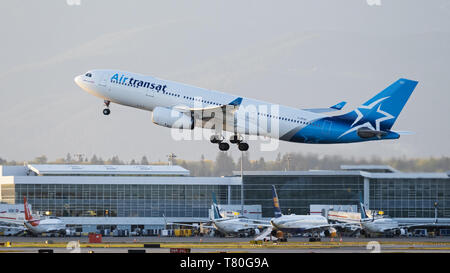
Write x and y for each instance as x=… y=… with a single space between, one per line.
x=406 y=196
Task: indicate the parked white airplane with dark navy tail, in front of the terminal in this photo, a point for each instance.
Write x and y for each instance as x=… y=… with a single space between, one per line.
x=298 y=224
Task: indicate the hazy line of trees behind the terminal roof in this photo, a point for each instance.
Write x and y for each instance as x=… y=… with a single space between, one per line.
x=224 y=164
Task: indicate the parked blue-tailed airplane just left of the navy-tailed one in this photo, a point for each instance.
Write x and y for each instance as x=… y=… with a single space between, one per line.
x=232 y=226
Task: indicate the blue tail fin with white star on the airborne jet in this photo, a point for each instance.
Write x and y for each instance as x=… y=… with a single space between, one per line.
x=381 y=111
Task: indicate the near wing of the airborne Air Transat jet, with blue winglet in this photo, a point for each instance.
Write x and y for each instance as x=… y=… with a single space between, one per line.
x=210 y=116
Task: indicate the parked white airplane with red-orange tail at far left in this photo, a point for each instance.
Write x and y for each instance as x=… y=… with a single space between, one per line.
x=45 y=225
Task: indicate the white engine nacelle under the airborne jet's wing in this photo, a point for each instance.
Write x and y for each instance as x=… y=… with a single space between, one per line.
x=172 y=118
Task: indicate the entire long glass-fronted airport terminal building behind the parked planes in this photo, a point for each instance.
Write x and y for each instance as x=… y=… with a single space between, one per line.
x=96 y=197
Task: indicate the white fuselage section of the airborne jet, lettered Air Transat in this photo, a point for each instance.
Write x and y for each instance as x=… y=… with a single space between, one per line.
x=278 y=120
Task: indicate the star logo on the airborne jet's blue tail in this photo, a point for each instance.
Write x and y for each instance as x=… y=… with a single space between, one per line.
x=367 y=117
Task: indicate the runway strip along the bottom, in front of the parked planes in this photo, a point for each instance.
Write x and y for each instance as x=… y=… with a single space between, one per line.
x=224 y=245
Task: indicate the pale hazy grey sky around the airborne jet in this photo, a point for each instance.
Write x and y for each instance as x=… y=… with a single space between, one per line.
x=303 y=54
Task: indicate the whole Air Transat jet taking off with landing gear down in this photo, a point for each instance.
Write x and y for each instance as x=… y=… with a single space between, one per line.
x=181 y=106
